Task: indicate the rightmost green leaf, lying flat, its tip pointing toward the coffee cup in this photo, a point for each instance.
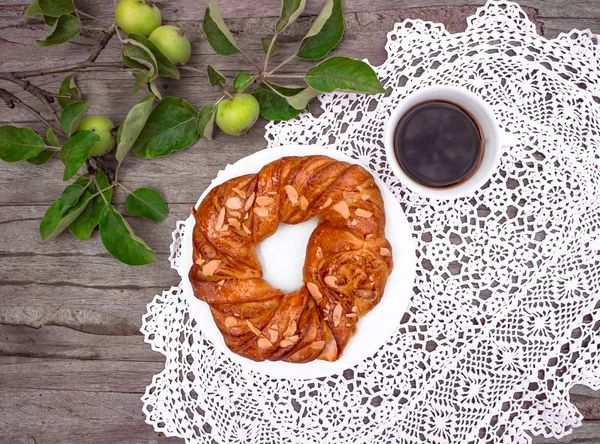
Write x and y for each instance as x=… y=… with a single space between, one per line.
x=345 y=74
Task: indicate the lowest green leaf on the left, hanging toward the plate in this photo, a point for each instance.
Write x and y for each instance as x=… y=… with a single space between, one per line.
x=119 y=240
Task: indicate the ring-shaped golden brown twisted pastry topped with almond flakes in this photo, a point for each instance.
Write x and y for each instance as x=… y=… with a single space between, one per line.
x=348 y=258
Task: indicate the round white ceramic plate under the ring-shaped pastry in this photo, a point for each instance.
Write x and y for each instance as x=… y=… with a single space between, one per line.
x=282 y=257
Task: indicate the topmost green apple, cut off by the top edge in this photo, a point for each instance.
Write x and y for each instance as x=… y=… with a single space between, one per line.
x=138 y=16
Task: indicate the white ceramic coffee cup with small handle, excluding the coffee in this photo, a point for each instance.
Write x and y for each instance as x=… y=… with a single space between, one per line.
x=494 y=140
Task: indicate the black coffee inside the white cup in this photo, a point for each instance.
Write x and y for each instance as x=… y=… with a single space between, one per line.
x=438 y=144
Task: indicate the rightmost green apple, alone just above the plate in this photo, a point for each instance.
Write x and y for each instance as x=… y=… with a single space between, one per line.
x=236 y=116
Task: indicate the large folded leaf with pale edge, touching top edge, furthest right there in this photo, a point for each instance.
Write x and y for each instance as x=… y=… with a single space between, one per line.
x=325 y=33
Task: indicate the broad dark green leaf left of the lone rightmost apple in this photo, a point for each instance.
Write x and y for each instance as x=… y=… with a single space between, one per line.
x=170 y=127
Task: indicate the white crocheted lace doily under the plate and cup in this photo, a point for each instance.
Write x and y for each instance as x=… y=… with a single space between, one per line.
x=503 y=318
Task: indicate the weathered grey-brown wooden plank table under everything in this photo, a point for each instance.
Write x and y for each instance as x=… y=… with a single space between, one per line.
x=72 y=362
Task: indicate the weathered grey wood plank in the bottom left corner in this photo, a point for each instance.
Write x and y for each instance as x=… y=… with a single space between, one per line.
x=71 y=417
